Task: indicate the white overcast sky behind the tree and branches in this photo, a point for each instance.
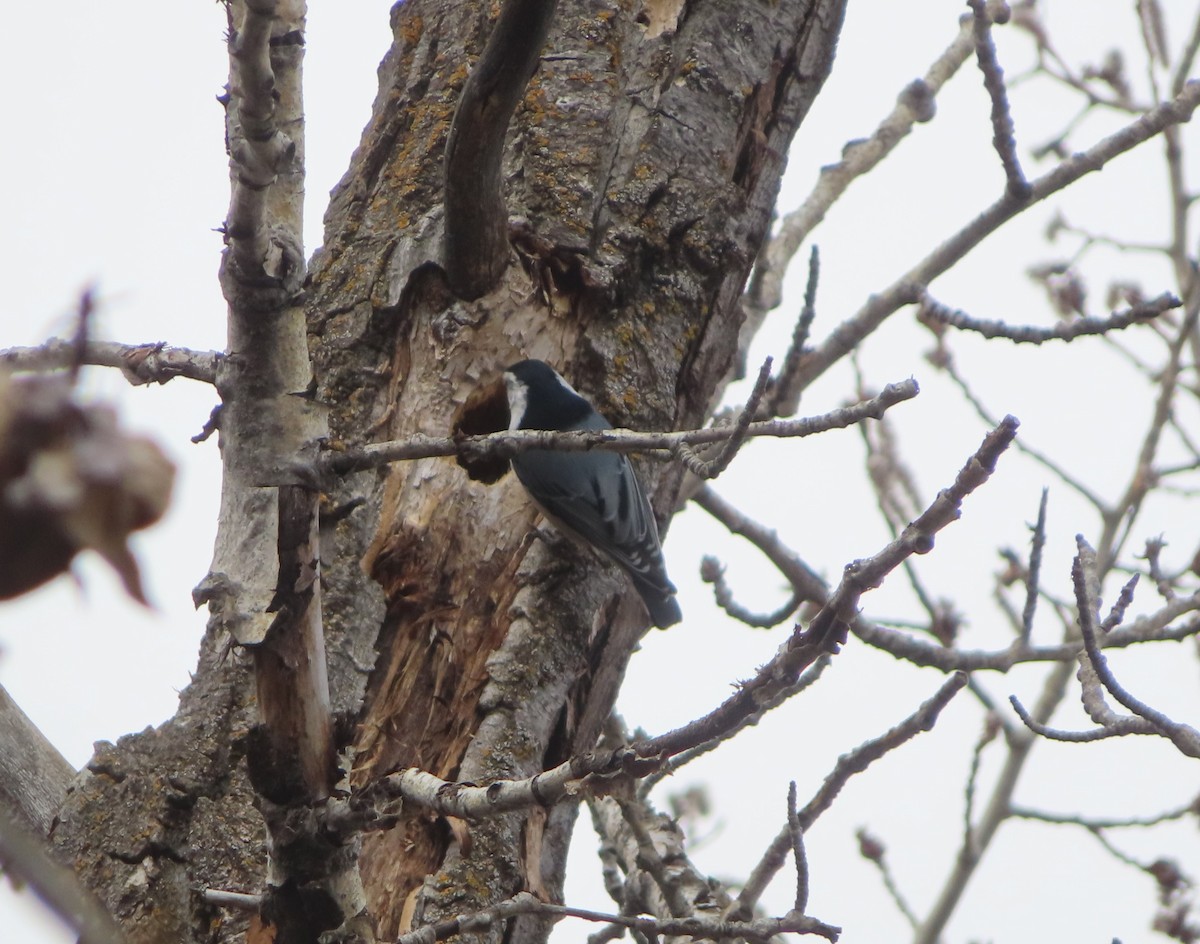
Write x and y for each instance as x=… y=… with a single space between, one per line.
x=113 y=175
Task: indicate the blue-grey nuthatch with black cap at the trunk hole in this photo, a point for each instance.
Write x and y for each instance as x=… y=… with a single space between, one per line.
x=596 y=496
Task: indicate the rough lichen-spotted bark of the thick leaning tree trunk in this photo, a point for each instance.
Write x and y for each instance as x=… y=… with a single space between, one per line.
x=641 y=167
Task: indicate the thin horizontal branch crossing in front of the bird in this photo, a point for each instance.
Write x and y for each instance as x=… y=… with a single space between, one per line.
x=509 y=443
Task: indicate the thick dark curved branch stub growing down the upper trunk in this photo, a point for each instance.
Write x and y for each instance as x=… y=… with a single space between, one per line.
x=477 y=225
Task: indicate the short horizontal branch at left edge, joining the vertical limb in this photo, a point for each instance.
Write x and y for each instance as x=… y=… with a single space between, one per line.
x=142 y=364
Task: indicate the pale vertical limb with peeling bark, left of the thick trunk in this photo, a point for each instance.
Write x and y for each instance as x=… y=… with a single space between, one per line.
x=265 y=588
